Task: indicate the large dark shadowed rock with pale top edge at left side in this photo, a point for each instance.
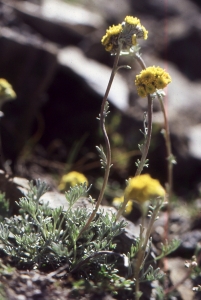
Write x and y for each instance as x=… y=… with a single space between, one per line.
x=33 y=61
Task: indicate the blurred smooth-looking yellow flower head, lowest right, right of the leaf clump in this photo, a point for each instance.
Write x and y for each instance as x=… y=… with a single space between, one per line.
x=142 y=188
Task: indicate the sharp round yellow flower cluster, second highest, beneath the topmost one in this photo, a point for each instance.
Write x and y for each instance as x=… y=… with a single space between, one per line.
x=151 y=79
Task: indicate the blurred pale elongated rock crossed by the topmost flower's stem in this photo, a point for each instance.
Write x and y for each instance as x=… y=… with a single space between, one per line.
x=95 y=75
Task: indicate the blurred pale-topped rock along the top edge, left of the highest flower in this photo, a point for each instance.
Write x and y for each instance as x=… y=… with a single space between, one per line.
x=58 y=21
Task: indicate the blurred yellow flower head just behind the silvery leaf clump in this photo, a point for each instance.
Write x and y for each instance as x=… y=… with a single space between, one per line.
x=71 y=179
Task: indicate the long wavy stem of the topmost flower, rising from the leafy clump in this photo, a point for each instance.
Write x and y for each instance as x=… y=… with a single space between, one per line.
x=107 y=142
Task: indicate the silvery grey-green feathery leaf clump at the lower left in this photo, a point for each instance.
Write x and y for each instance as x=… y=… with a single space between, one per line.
x=41 y=237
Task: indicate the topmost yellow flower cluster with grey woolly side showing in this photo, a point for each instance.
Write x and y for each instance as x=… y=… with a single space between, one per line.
x=125 y=34
